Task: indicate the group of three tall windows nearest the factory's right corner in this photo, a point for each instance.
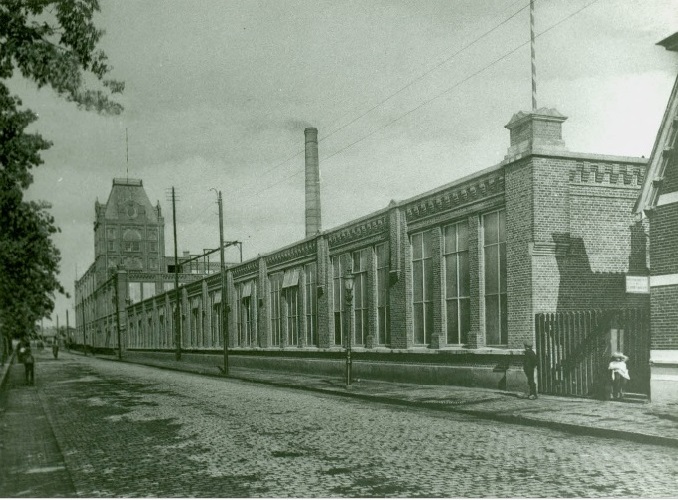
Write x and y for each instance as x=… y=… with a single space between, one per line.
x=456 y=282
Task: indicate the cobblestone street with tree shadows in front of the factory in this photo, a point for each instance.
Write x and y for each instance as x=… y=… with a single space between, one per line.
x=128 y=430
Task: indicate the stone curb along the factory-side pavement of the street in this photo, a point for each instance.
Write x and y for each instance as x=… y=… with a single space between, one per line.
x=581 y=430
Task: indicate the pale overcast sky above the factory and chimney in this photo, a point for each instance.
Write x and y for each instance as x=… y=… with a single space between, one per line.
x=407 y=95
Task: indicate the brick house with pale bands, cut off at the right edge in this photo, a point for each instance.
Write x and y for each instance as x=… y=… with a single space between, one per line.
x=658 y=204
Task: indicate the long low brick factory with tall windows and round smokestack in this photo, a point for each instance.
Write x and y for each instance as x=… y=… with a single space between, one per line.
x=448 y=285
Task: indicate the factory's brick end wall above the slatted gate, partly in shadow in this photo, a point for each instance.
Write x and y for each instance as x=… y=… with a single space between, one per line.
x=584 y=231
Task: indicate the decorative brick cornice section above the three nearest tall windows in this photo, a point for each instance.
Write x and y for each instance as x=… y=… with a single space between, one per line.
x=456 y=196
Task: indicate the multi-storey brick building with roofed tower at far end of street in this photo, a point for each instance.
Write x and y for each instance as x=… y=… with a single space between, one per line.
x=129 y=264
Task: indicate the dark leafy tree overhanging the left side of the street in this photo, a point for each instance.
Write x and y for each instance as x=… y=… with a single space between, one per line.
x=54 y=44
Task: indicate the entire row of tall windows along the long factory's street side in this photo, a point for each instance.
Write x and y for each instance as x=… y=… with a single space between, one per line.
x=285 y=292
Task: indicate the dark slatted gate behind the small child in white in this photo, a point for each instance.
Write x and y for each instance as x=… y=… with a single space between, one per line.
x=574 y=350
